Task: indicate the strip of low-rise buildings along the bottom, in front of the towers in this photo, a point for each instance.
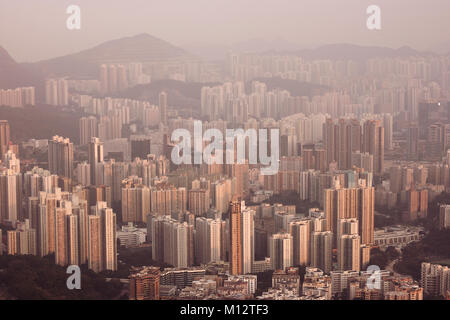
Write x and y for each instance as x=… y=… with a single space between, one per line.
x=150 y=283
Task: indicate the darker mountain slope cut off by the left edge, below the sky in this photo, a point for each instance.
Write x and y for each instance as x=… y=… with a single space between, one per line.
x=13 y=74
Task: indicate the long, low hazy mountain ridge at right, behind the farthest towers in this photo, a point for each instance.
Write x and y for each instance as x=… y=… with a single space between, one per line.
x=356 y=52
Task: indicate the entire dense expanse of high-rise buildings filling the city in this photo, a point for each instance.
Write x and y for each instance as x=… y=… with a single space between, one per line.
x=369 y=141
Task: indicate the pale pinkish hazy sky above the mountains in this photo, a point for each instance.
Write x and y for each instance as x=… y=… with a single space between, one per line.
x=36 y=29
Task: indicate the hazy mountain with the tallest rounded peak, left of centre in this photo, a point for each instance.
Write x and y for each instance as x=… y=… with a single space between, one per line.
x=139 y=48
